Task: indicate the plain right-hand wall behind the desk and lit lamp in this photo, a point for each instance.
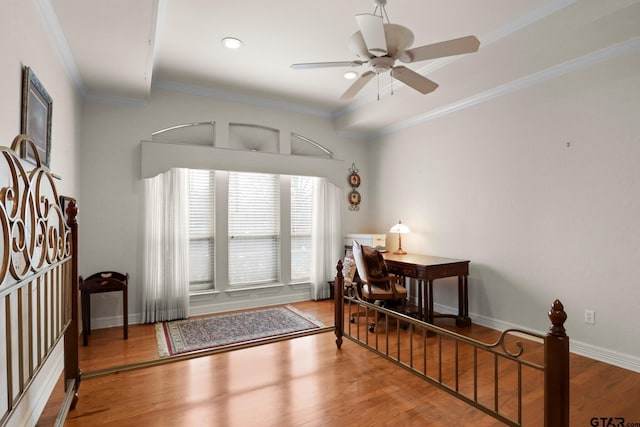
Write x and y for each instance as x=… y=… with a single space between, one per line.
x=497 y=183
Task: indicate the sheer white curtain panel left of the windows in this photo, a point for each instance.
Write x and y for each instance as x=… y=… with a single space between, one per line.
x=165 y=278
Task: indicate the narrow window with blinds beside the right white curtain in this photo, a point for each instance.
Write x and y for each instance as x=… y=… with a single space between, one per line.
x=301 y=218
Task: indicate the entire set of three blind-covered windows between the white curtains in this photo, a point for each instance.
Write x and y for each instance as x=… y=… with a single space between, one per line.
x=254 y=250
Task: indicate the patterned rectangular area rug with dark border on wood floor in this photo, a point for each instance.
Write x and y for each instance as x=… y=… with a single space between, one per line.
x=184 y=336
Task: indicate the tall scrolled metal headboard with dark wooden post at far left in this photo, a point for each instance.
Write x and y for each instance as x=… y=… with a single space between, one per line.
x=38 y=285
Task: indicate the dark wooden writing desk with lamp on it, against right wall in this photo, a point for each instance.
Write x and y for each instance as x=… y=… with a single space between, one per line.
x=425 y=269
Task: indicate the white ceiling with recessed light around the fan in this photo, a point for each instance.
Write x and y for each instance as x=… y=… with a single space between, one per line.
x=121 y=48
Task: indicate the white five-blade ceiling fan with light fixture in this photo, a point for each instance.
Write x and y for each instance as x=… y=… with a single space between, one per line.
x=380 y=45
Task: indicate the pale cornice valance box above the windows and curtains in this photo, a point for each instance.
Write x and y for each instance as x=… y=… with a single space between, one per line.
x=158 y=158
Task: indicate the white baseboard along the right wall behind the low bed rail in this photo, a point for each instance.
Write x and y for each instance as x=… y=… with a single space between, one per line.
x=611 y=357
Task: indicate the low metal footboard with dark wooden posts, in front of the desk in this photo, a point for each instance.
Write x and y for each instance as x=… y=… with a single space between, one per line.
x=493 y=377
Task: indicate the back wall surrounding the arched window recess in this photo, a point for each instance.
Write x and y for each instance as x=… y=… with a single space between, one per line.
x=111 y=188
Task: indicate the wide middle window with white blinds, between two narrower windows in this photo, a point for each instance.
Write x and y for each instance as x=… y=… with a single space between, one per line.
x=254 y=228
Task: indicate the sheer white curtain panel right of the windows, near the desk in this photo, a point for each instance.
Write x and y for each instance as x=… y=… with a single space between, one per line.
x=326 y=236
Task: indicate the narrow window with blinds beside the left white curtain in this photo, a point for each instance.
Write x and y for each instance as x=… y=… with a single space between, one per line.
x=201 y=230
